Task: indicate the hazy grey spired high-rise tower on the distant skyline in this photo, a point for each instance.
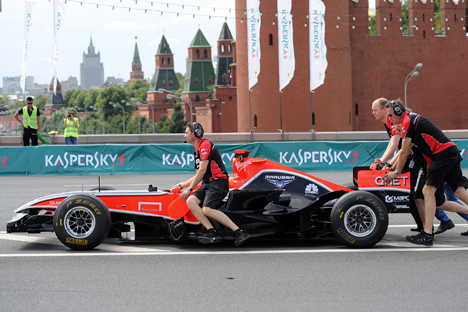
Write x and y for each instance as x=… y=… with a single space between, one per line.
x=91 y=70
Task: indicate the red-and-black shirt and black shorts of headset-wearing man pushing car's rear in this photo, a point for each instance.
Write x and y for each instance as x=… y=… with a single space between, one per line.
x=441 y=154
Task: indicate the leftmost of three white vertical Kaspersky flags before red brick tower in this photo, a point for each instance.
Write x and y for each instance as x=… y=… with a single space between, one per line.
x=253 y=40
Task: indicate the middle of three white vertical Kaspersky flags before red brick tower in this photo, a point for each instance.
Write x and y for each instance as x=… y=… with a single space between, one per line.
x=287 y=61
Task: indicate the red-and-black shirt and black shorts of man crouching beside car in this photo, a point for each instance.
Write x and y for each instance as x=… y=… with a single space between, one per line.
x=215 y=184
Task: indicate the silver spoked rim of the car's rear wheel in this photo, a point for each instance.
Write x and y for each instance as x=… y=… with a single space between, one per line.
x=360 y=220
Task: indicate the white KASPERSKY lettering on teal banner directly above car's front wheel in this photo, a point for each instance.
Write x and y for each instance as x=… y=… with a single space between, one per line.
x=85 y=160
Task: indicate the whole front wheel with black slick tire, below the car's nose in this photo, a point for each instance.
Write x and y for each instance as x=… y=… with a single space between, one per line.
x=82 y=222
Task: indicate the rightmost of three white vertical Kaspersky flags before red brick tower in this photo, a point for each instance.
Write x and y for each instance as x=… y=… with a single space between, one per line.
x=317 y=48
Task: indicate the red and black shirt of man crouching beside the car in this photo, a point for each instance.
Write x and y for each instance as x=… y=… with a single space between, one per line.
x=206 y=150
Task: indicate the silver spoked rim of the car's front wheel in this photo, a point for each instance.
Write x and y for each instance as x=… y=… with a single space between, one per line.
x=80 y=222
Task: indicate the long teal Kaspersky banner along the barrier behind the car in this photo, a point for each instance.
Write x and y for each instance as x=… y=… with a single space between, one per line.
x=178 y=158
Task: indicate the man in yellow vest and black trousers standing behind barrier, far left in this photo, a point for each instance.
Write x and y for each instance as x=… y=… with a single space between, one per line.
x=31 y=122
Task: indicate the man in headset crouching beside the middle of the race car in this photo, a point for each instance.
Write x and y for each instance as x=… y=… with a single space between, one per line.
x=205 y=201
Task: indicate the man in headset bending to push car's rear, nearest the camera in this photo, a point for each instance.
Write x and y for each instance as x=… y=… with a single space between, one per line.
x=443 y=160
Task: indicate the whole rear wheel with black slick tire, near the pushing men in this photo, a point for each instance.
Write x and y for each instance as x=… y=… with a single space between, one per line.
x=359 y=219
